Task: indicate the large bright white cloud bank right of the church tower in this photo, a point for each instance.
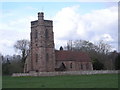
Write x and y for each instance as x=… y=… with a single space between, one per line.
x=69 y=24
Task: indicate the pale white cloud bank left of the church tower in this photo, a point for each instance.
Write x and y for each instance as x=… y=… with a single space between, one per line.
x=13 y=30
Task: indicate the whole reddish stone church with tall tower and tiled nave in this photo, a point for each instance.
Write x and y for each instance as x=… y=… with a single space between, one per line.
x=43 y=57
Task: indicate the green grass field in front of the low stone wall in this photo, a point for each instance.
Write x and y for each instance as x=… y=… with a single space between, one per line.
x=71 y=81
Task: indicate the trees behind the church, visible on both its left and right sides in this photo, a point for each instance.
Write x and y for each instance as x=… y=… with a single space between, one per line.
x=101 y=56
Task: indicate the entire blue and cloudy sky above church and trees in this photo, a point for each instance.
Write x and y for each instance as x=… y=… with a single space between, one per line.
x=91 y=21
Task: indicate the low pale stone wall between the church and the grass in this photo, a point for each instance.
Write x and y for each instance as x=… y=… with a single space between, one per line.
x=32 y=73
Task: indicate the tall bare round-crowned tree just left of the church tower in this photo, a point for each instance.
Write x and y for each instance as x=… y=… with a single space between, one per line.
x=23 y=47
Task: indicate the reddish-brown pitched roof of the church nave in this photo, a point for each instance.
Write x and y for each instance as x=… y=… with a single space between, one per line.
x=71 y=56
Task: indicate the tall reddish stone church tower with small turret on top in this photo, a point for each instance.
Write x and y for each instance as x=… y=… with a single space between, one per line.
x=42 y=45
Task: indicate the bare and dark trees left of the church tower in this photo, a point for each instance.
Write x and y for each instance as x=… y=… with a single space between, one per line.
x=15 y=63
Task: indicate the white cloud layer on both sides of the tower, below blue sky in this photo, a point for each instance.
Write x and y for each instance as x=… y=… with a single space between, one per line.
x=69 y=24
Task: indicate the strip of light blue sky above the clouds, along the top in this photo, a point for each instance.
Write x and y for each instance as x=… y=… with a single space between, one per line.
x=52 y=6
